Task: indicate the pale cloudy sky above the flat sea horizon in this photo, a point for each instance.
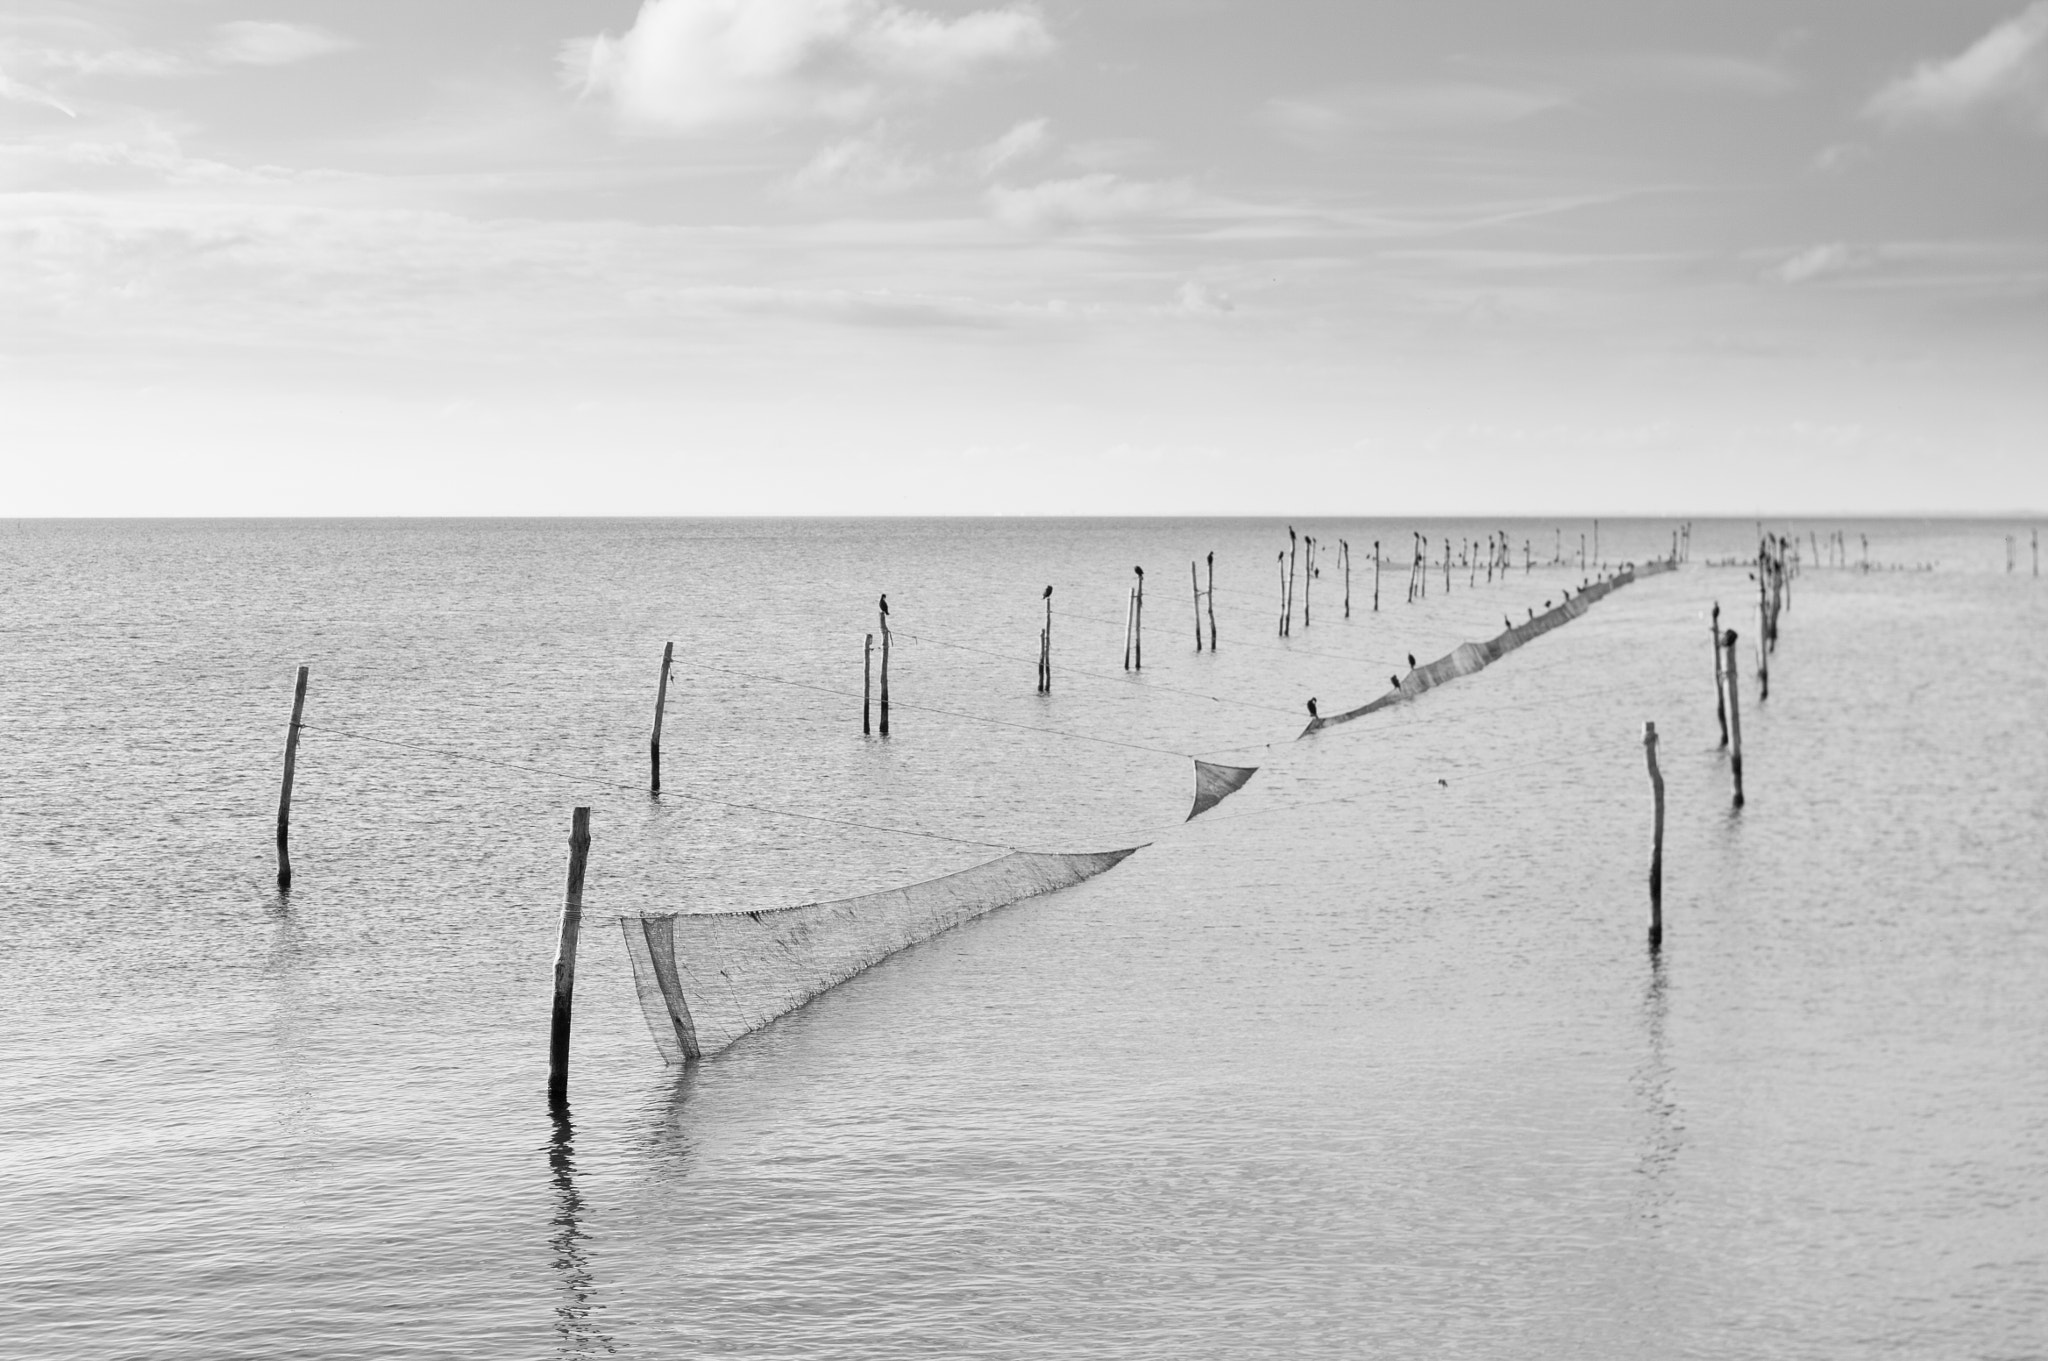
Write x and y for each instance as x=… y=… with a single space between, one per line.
x=1115 y=257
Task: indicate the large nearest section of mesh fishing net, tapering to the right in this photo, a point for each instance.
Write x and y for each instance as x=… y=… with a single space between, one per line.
x=706 y=979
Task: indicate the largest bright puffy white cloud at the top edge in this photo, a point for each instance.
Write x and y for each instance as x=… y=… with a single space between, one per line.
x=701 y=64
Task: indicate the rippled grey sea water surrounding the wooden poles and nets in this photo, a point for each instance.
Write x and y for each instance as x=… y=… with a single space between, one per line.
x=1371 y=1061
